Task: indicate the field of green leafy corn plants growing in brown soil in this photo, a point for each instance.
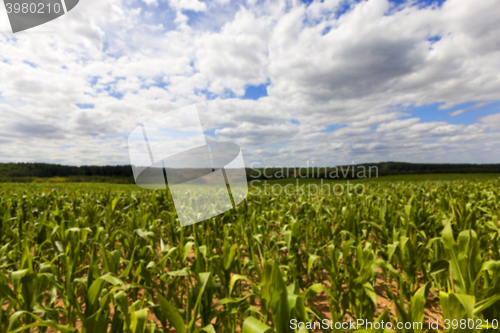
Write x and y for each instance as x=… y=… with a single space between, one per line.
x=113 y=258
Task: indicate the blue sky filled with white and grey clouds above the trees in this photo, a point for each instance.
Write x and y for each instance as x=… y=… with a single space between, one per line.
x=293 y=83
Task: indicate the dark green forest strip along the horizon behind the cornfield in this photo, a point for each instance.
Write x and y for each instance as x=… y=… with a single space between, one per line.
x=31 y=171
